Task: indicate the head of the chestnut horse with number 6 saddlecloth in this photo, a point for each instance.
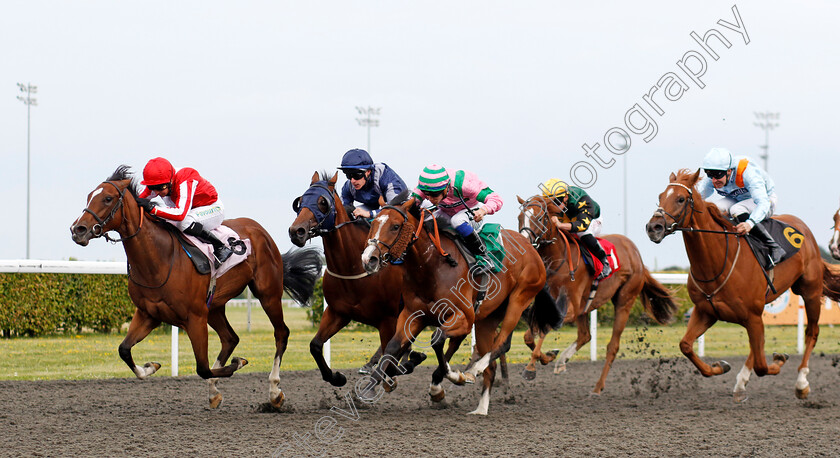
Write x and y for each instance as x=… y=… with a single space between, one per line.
x=676 y=206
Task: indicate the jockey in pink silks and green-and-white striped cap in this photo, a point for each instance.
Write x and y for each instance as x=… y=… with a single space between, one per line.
x=457 y=195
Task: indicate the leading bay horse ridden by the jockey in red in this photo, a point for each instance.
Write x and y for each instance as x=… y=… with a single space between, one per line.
x=165 y=287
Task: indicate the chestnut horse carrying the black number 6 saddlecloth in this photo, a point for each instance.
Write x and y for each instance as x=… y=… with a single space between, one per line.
x=724 y=286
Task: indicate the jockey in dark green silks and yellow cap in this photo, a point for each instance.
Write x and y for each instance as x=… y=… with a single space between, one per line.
x=583 y=215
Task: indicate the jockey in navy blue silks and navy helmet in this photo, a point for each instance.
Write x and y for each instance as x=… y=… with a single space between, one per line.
x=367 y=182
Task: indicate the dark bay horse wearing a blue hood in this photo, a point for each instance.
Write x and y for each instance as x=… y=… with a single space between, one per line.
x=351 y=292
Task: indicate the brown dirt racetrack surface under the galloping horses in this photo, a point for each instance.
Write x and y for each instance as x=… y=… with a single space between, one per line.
x=649 y=408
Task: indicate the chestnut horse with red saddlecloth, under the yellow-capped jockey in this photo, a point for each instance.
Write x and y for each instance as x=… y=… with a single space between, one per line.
x=561 y=253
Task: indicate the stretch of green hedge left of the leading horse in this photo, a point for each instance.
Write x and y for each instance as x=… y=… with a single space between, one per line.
x=38 y=304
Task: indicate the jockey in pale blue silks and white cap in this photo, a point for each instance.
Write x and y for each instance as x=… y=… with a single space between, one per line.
x=749 y=194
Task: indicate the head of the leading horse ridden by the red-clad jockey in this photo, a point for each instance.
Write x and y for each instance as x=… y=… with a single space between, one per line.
x=105 y=208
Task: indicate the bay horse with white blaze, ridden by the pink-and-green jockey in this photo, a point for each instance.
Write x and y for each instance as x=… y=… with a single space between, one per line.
x=440 y=292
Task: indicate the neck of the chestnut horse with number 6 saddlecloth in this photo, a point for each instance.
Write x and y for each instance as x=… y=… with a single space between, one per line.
x=707 y=252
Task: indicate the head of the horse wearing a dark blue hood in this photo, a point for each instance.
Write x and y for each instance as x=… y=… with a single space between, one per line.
x=317 y=209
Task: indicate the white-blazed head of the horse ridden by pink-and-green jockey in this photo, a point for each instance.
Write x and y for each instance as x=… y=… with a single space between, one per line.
x=390 y=233
